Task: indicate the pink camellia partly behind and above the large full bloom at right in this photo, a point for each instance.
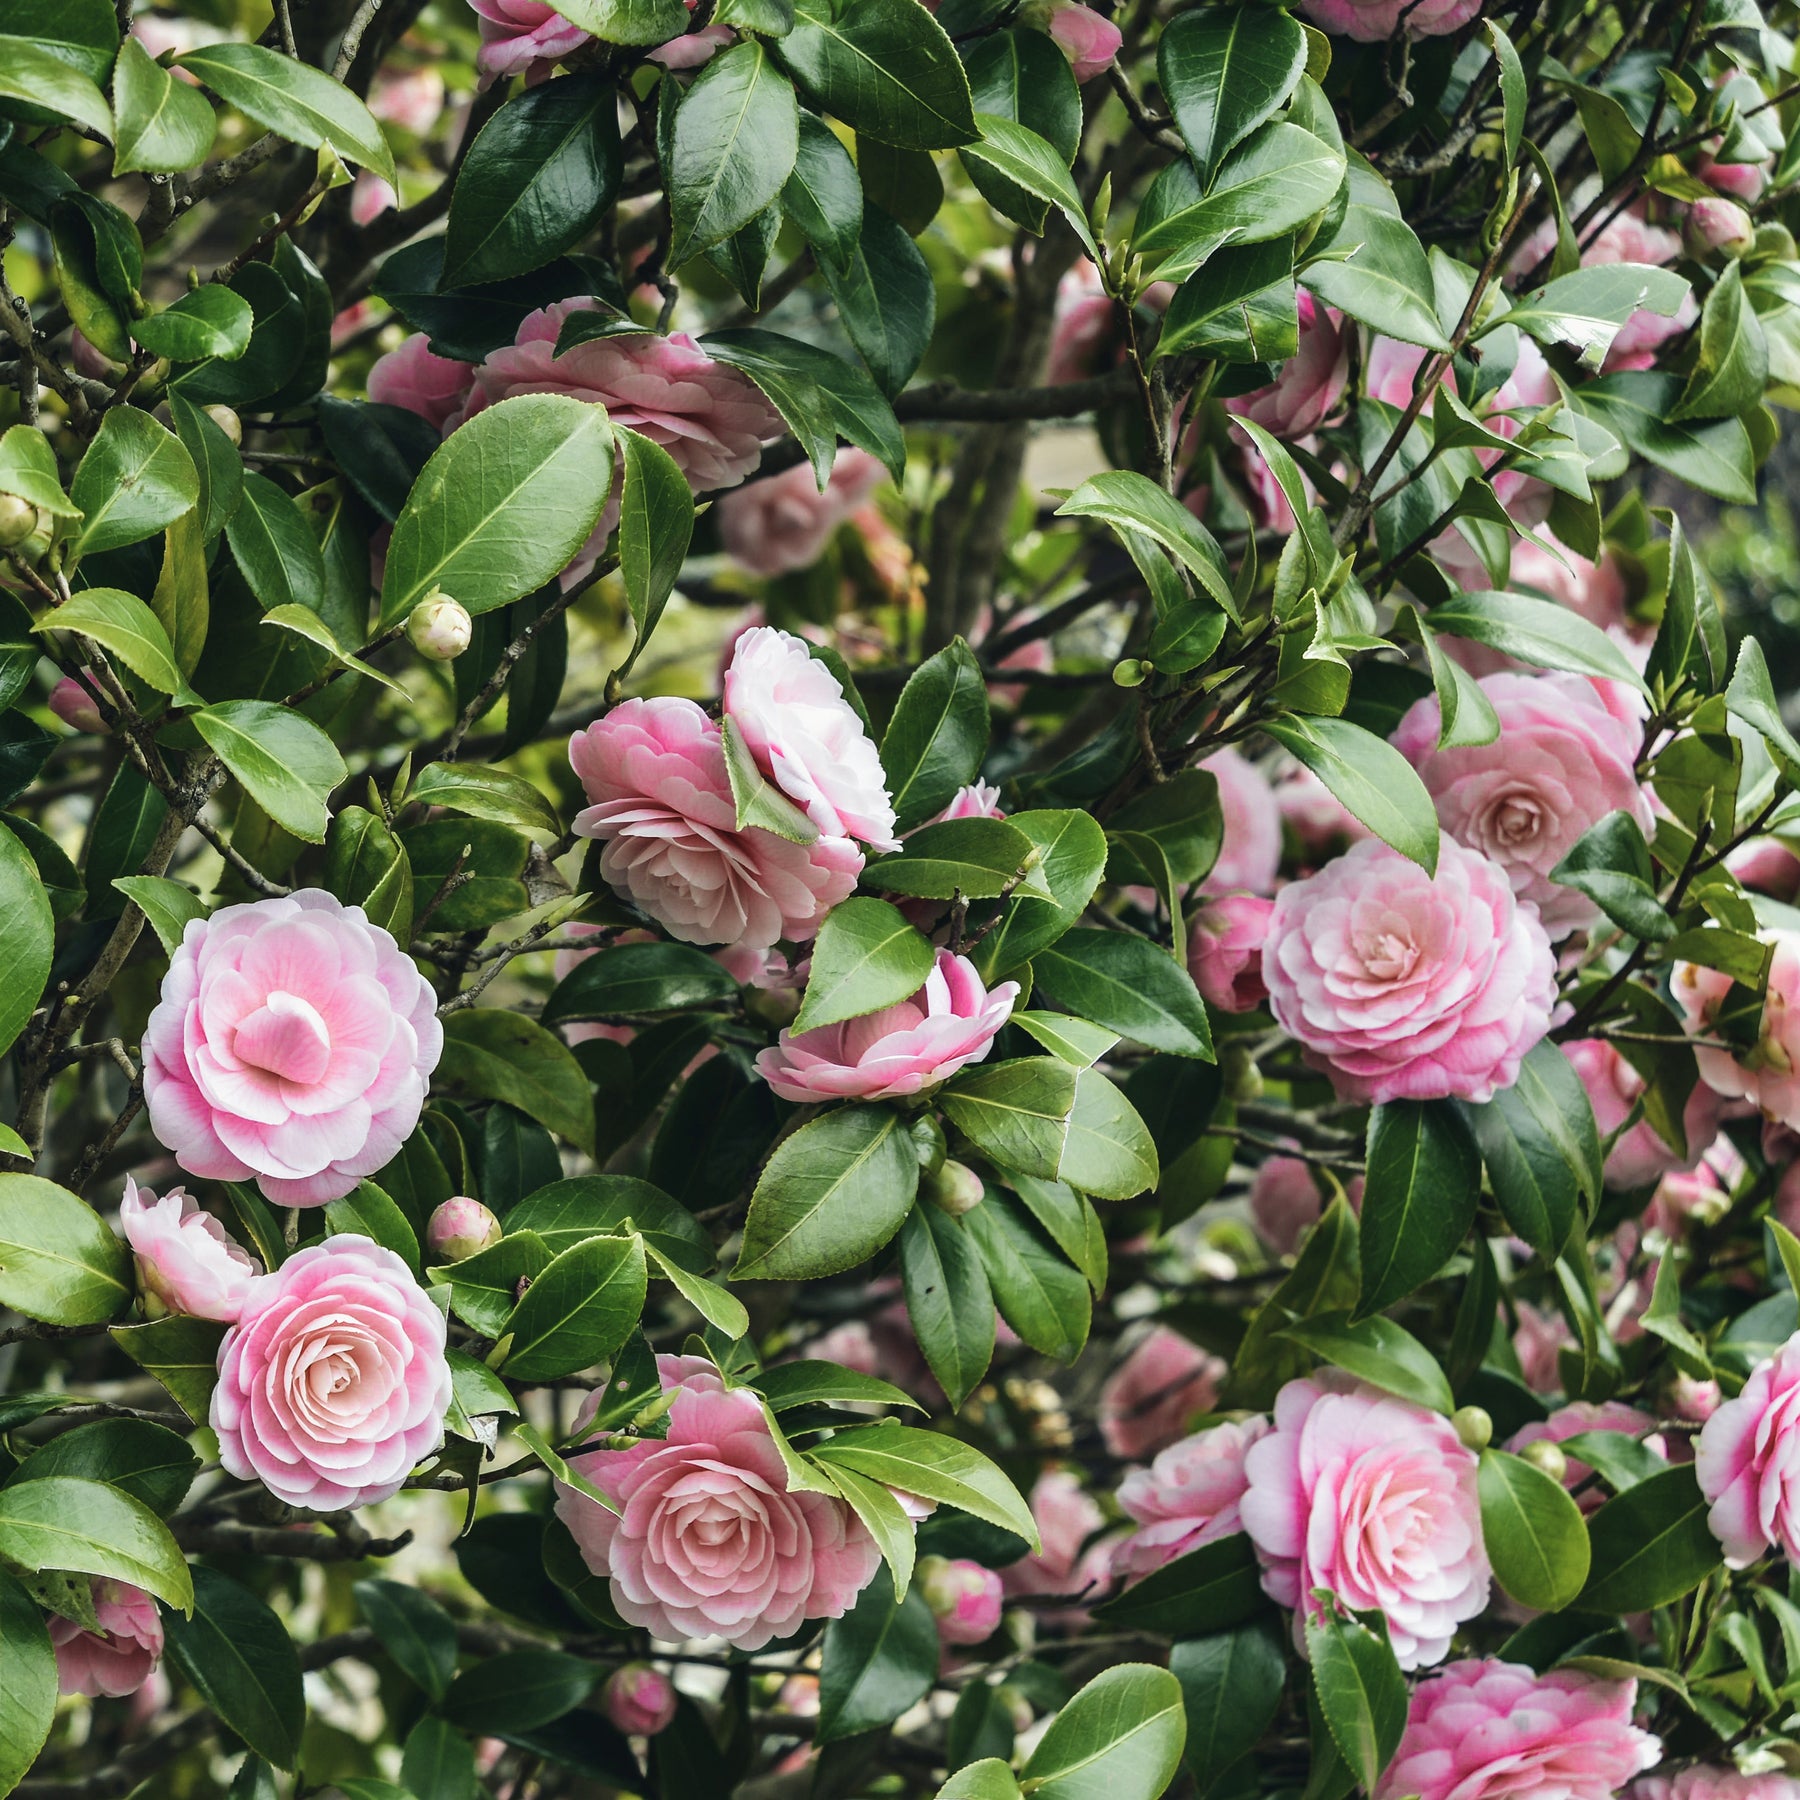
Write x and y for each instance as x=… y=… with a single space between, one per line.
x=1563 y=760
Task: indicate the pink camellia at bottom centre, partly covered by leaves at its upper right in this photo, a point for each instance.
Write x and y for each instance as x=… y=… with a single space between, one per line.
x=708 y=1540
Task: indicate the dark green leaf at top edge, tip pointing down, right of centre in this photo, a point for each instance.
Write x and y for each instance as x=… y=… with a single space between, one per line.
x=1227 y=71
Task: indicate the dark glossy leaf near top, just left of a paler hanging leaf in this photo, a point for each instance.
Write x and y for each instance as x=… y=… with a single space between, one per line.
x=537 y=179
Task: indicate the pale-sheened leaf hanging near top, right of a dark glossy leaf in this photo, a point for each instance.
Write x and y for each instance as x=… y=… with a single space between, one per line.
x=737 y=136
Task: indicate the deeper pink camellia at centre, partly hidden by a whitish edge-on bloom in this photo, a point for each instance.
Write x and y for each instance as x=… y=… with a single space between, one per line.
x=661 y=804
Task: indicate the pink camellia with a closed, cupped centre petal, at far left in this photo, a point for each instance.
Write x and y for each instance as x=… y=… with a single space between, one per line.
x=294 y=1043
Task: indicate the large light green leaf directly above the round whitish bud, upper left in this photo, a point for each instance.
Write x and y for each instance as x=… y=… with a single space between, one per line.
x=503 y=507
